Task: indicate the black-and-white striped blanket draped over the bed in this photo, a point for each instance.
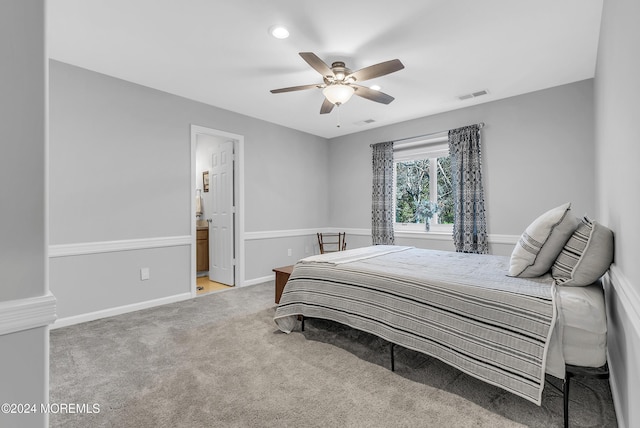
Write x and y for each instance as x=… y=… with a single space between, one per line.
x=460 y=308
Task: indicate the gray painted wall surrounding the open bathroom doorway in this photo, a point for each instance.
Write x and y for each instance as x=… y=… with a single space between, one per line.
x=120 y=157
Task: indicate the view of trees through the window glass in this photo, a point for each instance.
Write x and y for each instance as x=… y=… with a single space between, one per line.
x=414 y=201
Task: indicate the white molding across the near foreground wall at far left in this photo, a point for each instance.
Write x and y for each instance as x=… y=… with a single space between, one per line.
x=24 y=314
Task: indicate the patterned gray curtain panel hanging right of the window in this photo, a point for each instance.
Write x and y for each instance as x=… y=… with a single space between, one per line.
x=469 y=227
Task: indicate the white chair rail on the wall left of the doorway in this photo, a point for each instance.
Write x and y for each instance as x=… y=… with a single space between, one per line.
x=82 y=248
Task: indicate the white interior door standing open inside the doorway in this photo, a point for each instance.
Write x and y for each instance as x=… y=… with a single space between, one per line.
x=221 y=251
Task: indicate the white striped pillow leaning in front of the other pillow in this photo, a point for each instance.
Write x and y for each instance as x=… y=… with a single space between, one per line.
x=542 y=241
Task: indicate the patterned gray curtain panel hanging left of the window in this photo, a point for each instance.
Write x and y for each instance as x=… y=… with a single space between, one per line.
x=382 y=195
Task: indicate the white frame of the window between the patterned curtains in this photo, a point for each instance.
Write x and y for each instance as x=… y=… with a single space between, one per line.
x=433 y=147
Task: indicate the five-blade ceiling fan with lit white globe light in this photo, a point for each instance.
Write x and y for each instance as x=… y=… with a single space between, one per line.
x=340 y=82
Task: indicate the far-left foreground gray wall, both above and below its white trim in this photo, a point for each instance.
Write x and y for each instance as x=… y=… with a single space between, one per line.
x=24 y=354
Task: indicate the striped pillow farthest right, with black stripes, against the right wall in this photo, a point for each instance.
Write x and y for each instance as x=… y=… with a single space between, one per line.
x=586 y=256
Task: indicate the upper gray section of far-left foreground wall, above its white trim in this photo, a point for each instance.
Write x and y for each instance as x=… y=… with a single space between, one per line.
x=22 y=134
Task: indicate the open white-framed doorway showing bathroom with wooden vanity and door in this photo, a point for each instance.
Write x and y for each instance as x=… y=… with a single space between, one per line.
x=217 y=215
